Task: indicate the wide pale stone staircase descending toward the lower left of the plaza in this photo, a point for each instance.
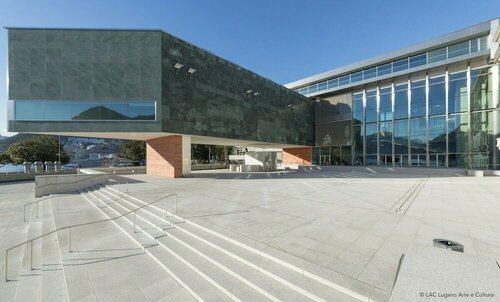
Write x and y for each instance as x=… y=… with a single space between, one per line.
x=202 y=262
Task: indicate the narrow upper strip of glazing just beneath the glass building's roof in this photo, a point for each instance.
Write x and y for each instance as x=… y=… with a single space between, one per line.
x=430 y=57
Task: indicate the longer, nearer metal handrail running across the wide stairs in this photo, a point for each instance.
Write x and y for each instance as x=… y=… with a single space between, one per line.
x=69 y=227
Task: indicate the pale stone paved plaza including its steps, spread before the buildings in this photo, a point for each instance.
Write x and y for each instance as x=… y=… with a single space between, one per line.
x=346 y=225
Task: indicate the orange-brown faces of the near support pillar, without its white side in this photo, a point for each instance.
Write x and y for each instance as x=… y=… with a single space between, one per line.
x=164 y=156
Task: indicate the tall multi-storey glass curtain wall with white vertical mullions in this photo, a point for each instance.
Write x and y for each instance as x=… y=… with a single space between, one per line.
x=451 y=120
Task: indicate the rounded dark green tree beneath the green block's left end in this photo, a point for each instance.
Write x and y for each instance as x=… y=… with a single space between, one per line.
x=42 y=148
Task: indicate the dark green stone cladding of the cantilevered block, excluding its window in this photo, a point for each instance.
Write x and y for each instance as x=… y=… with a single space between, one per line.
x=137 y=65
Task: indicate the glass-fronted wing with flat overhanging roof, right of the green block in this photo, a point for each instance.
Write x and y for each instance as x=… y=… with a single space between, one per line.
x=433 y=104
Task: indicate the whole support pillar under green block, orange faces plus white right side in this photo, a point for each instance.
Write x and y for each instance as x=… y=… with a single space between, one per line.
x=168 y=156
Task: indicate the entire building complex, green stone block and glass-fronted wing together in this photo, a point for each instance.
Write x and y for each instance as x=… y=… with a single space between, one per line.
x=433 y=104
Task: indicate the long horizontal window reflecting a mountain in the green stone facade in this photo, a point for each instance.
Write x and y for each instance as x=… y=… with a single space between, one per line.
x=84 y=110
